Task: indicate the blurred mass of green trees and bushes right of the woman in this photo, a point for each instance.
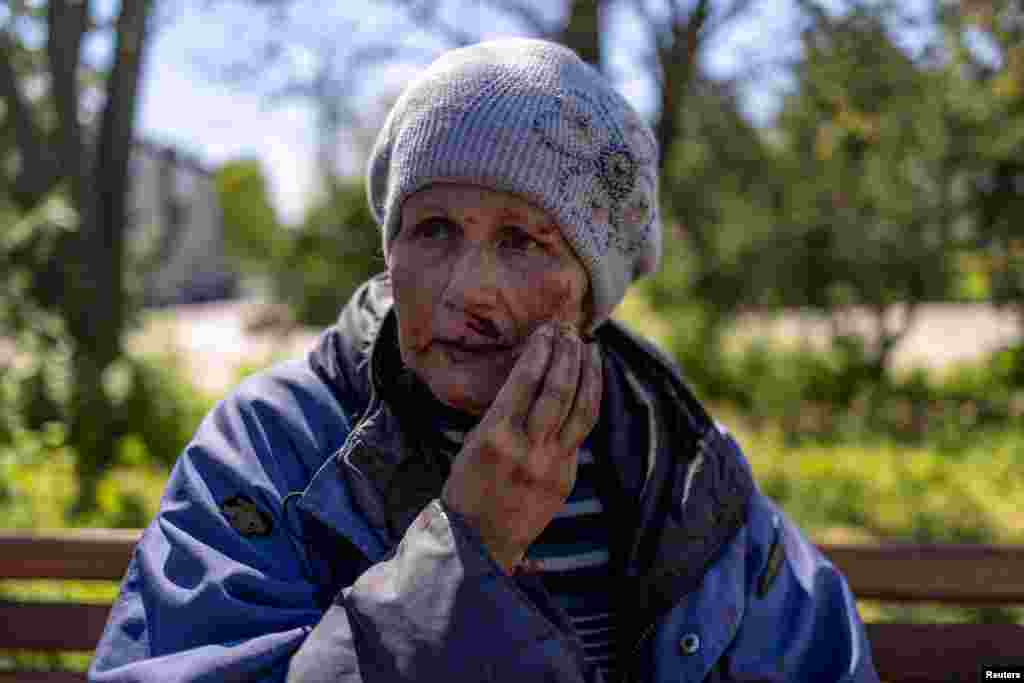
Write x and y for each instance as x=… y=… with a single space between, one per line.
x=875 y=187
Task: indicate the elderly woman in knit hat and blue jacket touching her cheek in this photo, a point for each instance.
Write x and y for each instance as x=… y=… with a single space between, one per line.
x=477 y=475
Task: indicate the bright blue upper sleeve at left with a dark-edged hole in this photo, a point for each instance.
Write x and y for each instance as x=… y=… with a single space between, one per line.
x=205 y=600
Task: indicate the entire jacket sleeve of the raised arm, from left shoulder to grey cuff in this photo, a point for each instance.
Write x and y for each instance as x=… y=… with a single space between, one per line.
x=202 y=602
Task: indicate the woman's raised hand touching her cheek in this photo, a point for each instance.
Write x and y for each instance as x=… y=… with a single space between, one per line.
x=518 y=467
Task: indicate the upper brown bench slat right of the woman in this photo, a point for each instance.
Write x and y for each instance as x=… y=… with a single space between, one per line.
x=954 y=574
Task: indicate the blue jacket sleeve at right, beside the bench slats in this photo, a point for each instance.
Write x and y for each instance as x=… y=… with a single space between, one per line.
x=801 y=621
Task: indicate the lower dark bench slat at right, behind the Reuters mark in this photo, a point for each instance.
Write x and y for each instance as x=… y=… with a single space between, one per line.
x=920 y=653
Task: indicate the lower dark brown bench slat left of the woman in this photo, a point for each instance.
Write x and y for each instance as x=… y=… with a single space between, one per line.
x=52 y=626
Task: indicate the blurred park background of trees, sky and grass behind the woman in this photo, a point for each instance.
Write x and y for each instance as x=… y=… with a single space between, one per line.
x=183 y=203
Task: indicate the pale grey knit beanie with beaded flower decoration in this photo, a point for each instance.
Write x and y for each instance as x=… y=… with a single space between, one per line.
x=531 y=118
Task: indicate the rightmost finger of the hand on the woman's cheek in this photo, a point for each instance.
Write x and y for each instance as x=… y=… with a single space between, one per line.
x=560 y=390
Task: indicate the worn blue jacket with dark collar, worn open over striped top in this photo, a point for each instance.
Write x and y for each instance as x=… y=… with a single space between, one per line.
x=302 y=538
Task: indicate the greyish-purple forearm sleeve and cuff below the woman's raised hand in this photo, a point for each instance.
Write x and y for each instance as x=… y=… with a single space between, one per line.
x=440 y=609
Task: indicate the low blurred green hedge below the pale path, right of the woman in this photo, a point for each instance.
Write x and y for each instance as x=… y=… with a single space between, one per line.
x=838 y=397
